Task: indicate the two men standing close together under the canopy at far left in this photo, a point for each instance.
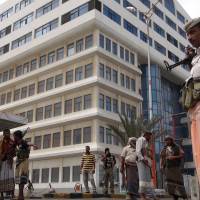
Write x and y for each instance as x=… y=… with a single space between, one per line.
x=10 y=148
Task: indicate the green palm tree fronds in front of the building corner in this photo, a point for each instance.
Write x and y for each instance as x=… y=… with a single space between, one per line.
x=133 y=127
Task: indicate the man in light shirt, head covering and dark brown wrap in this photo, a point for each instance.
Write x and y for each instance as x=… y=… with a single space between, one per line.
x=129 y=168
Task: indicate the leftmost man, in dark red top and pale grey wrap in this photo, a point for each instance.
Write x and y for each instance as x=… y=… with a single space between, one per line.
x=7 y=152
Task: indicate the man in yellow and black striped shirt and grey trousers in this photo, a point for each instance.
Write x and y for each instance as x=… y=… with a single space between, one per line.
x=88 y=169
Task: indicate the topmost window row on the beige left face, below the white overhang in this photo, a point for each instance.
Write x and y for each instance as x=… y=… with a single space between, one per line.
x=52 y=56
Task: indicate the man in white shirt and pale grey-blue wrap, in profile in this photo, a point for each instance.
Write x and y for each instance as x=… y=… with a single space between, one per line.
x=144 y=163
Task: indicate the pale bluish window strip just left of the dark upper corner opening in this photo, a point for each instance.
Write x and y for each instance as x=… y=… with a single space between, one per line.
x=43 y=30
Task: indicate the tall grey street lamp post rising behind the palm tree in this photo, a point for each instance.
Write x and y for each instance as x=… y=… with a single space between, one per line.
x=147 y=16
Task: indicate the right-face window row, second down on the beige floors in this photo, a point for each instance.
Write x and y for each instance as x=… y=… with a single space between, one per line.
x=110 y=74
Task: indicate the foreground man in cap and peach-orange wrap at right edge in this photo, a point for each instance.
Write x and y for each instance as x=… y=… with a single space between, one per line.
x=193 y=33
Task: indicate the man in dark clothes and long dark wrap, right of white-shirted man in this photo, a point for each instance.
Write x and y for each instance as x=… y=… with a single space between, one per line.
x=171 y=157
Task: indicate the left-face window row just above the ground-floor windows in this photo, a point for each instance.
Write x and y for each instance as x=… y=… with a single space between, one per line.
x=68 y=137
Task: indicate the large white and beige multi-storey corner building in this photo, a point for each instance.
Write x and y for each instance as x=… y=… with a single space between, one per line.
x=70 y=66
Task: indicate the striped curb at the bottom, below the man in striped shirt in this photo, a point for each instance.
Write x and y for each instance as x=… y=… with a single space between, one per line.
x=88 y=196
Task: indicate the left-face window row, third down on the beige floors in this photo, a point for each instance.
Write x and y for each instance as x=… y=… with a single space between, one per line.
x=54 y=110
